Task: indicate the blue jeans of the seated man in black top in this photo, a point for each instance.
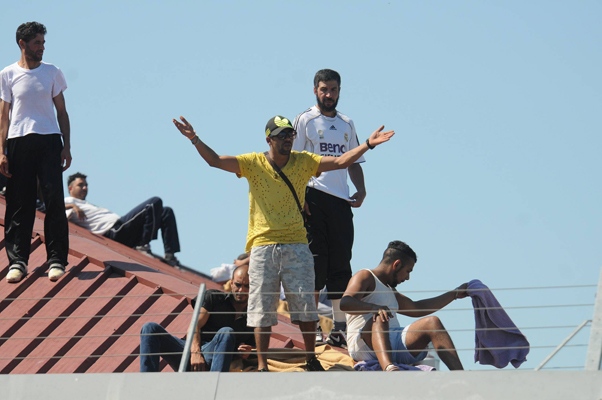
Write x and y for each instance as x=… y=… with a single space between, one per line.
x=155 y=342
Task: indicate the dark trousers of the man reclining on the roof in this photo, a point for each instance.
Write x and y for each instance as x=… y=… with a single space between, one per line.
x=141 y=225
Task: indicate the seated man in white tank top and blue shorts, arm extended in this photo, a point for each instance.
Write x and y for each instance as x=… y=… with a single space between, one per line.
x=373 y=331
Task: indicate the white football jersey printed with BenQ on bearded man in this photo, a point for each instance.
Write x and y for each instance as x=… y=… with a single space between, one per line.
x=326 y=136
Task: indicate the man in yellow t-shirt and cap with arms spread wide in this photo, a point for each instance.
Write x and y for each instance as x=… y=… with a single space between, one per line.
x=276 y=236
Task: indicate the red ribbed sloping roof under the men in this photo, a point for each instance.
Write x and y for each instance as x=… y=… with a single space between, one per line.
x=90 y=319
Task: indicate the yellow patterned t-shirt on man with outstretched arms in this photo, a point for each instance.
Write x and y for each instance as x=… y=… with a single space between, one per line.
x=273 y=213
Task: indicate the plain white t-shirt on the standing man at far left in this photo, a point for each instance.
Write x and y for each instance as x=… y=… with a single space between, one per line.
x=30 y=93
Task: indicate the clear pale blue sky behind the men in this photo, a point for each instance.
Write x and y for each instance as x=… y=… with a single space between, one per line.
x=494 y=173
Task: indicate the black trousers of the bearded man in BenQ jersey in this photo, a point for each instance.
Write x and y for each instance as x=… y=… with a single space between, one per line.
x=330 y=226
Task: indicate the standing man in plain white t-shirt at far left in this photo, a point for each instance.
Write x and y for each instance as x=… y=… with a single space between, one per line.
x=34 y=146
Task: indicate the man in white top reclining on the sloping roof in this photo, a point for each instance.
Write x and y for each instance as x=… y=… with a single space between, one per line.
x=135 y=229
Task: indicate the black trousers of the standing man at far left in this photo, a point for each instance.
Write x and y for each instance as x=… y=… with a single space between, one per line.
x=34 y=158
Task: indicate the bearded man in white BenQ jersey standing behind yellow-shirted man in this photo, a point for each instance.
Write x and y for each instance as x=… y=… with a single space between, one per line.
x=325 y=131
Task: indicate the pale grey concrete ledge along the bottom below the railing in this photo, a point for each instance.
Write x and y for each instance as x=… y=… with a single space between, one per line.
x=473 y=385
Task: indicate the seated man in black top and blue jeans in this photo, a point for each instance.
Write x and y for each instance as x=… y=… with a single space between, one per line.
x=221 y=330
